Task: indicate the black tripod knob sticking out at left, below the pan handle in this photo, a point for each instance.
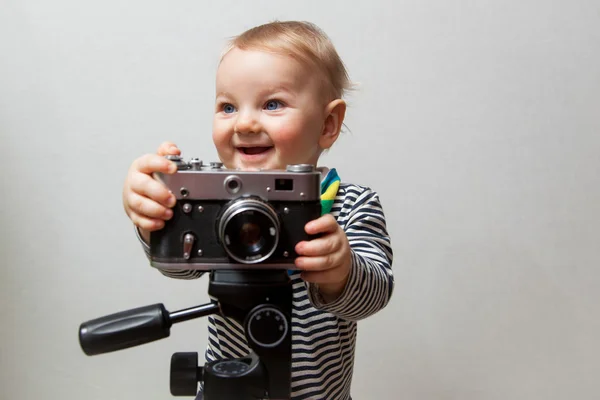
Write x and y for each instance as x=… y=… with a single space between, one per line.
x=185 y=374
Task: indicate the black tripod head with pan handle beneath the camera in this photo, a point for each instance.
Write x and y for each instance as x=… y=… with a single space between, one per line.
x=260 y=300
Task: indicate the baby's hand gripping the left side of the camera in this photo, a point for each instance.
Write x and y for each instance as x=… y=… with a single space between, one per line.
x=147 y=202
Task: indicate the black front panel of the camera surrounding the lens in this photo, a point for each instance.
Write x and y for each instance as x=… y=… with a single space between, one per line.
x=191 y=239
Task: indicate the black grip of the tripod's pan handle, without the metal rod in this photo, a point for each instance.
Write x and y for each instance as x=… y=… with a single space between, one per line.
x=125 y=329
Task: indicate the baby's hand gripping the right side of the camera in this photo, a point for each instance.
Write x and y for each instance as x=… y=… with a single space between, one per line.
x=326 y=260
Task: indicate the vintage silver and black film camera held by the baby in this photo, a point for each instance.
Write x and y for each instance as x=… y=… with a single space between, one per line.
x=234 y=219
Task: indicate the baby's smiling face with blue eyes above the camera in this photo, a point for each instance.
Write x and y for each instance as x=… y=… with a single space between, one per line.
x=269 y=111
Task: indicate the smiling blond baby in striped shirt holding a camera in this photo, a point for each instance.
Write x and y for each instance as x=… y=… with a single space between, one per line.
x=279 y=90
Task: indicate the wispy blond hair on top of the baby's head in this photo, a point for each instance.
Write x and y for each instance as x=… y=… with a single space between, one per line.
x=302 y=41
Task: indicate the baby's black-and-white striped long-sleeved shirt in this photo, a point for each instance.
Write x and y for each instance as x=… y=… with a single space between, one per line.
x=324 y=334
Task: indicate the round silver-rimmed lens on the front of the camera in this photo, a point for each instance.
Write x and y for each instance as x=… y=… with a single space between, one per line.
x=249 y=230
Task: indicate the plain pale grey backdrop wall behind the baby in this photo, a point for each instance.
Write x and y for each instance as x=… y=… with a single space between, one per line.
x=477 y=122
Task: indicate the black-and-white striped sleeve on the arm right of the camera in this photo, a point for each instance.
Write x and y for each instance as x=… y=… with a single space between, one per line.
x=371 y=281
